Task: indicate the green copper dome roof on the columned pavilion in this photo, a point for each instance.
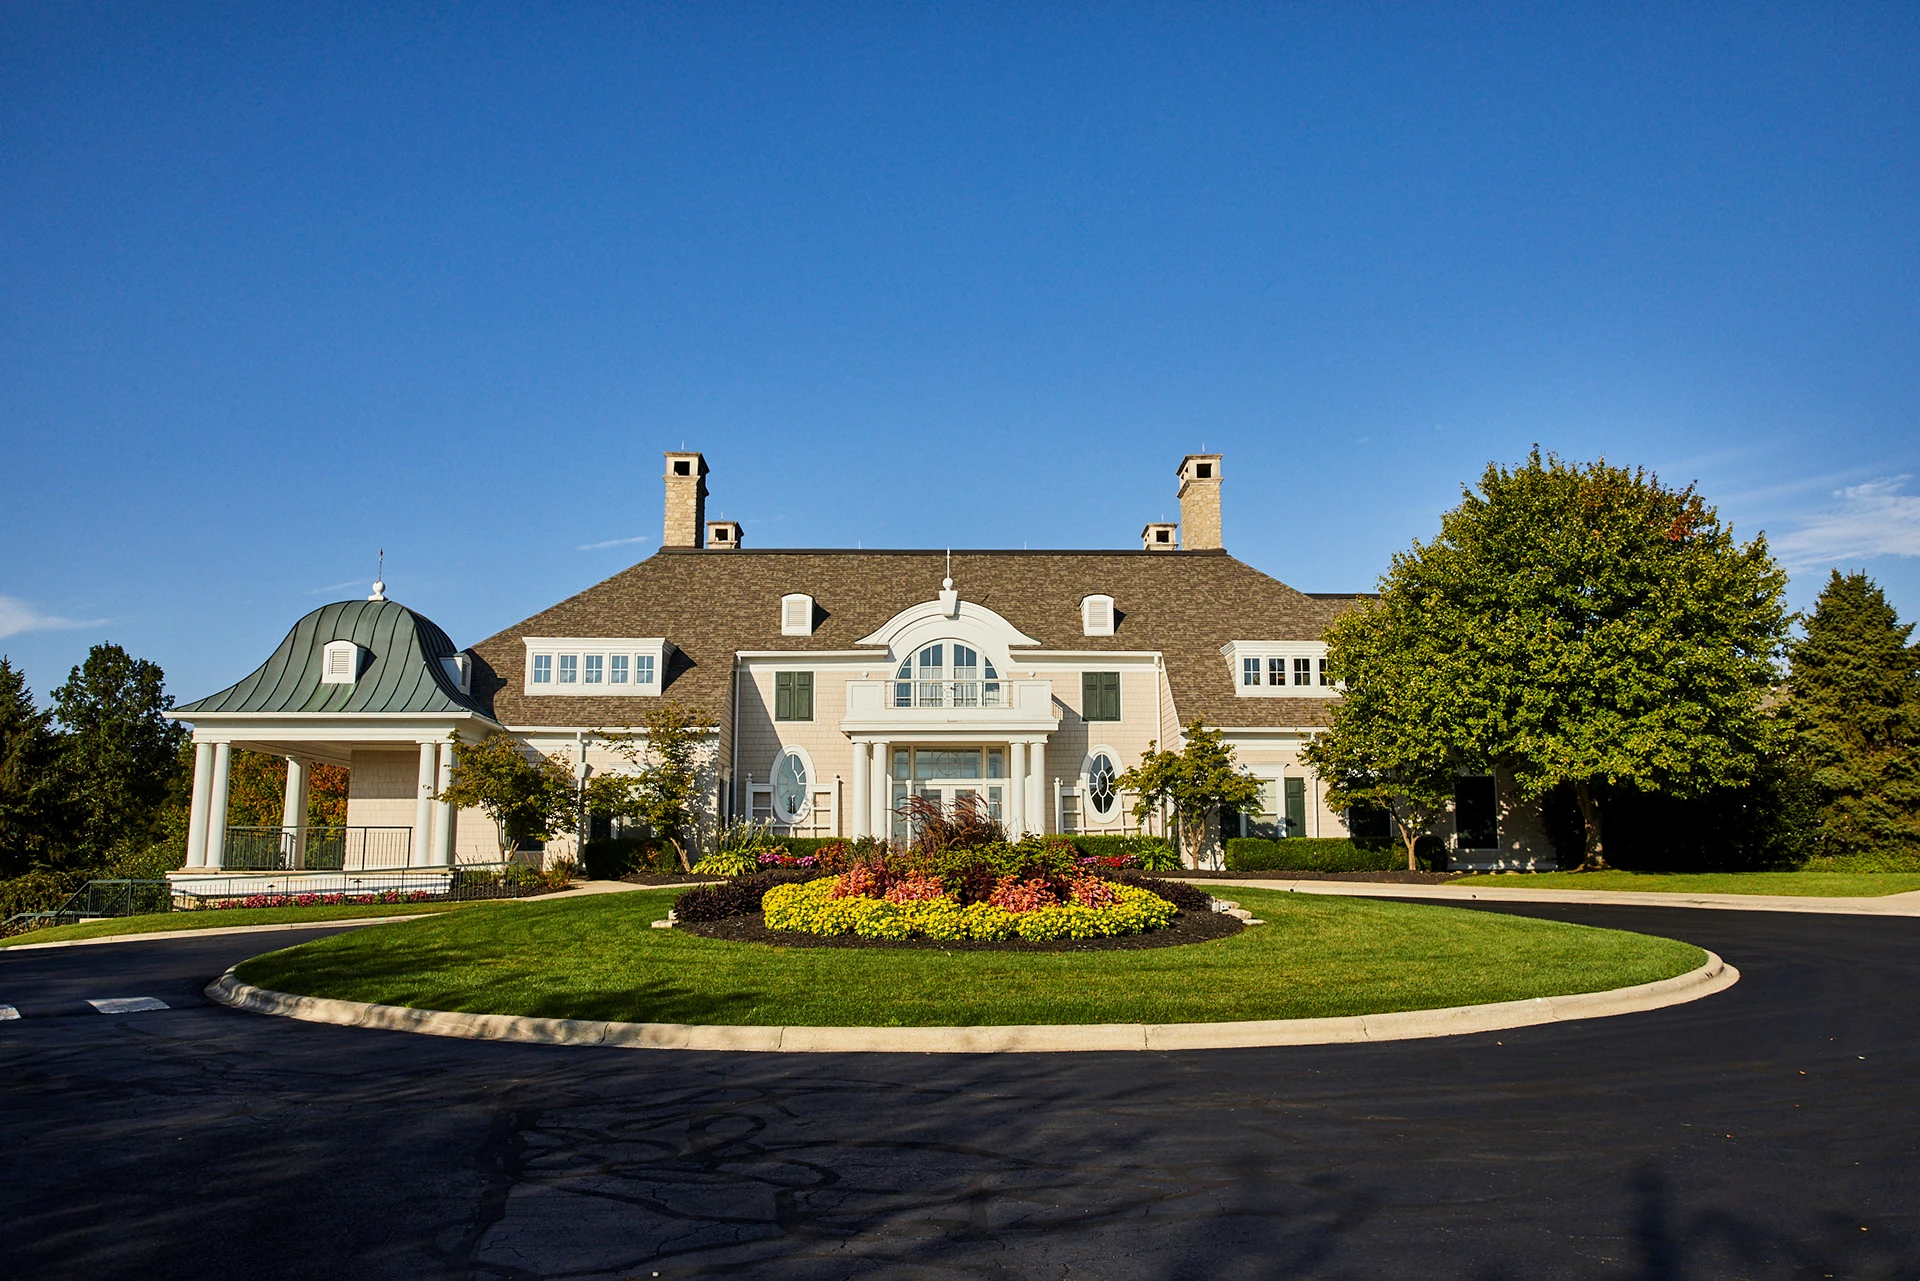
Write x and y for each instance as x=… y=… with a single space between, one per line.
x=400 y=667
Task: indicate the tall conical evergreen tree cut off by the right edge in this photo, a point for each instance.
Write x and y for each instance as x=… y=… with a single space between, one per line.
x=1856 y=710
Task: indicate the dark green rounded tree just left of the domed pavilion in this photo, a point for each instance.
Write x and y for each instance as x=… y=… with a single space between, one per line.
x=118 y=748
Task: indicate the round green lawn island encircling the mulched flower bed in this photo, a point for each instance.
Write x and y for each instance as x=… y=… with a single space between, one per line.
x=1318 y=955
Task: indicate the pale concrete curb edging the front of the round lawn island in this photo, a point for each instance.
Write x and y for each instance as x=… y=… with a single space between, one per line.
x=1708 y=980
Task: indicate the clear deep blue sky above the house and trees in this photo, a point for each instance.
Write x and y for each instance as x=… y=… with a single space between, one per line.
x=287 y=285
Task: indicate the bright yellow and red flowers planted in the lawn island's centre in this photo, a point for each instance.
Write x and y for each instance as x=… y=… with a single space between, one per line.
x=909 y=907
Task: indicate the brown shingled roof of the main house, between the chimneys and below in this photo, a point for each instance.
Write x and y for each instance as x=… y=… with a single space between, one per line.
x=713 y=604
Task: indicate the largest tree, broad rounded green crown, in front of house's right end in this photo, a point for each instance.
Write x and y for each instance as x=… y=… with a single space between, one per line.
x=1587 y=627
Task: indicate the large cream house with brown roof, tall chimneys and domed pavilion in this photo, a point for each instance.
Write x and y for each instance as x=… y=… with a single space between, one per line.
x=838 y=685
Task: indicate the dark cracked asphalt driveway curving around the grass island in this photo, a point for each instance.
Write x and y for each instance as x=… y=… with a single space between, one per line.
x=1765 y=1132
